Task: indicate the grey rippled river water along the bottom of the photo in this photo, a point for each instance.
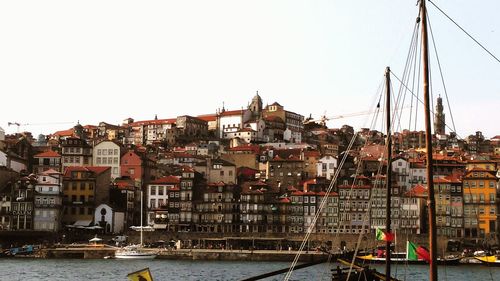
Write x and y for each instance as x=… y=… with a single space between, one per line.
x=110 y=270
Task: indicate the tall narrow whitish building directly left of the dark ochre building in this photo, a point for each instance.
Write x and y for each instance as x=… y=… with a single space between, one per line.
x=48 y=201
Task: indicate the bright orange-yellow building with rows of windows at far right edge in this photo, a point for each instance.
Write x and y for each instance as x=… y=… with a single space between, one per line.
x=480 y=212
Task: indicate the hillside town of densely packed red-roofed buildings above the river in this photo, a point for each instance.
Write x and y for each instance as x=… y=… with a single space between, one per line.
x=255 y=170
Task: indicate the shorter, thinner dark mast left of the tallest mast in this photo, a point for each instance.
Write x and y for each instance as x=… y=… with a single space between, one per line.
x=389 y=172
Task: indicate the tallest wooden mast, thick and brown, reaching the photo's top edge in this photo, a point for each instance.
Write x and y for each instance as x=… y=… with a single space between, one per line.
x=428 y=144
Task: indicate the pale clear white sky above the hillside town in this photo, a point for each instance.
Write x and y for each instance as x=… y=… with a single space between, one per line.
x=63 y=61
